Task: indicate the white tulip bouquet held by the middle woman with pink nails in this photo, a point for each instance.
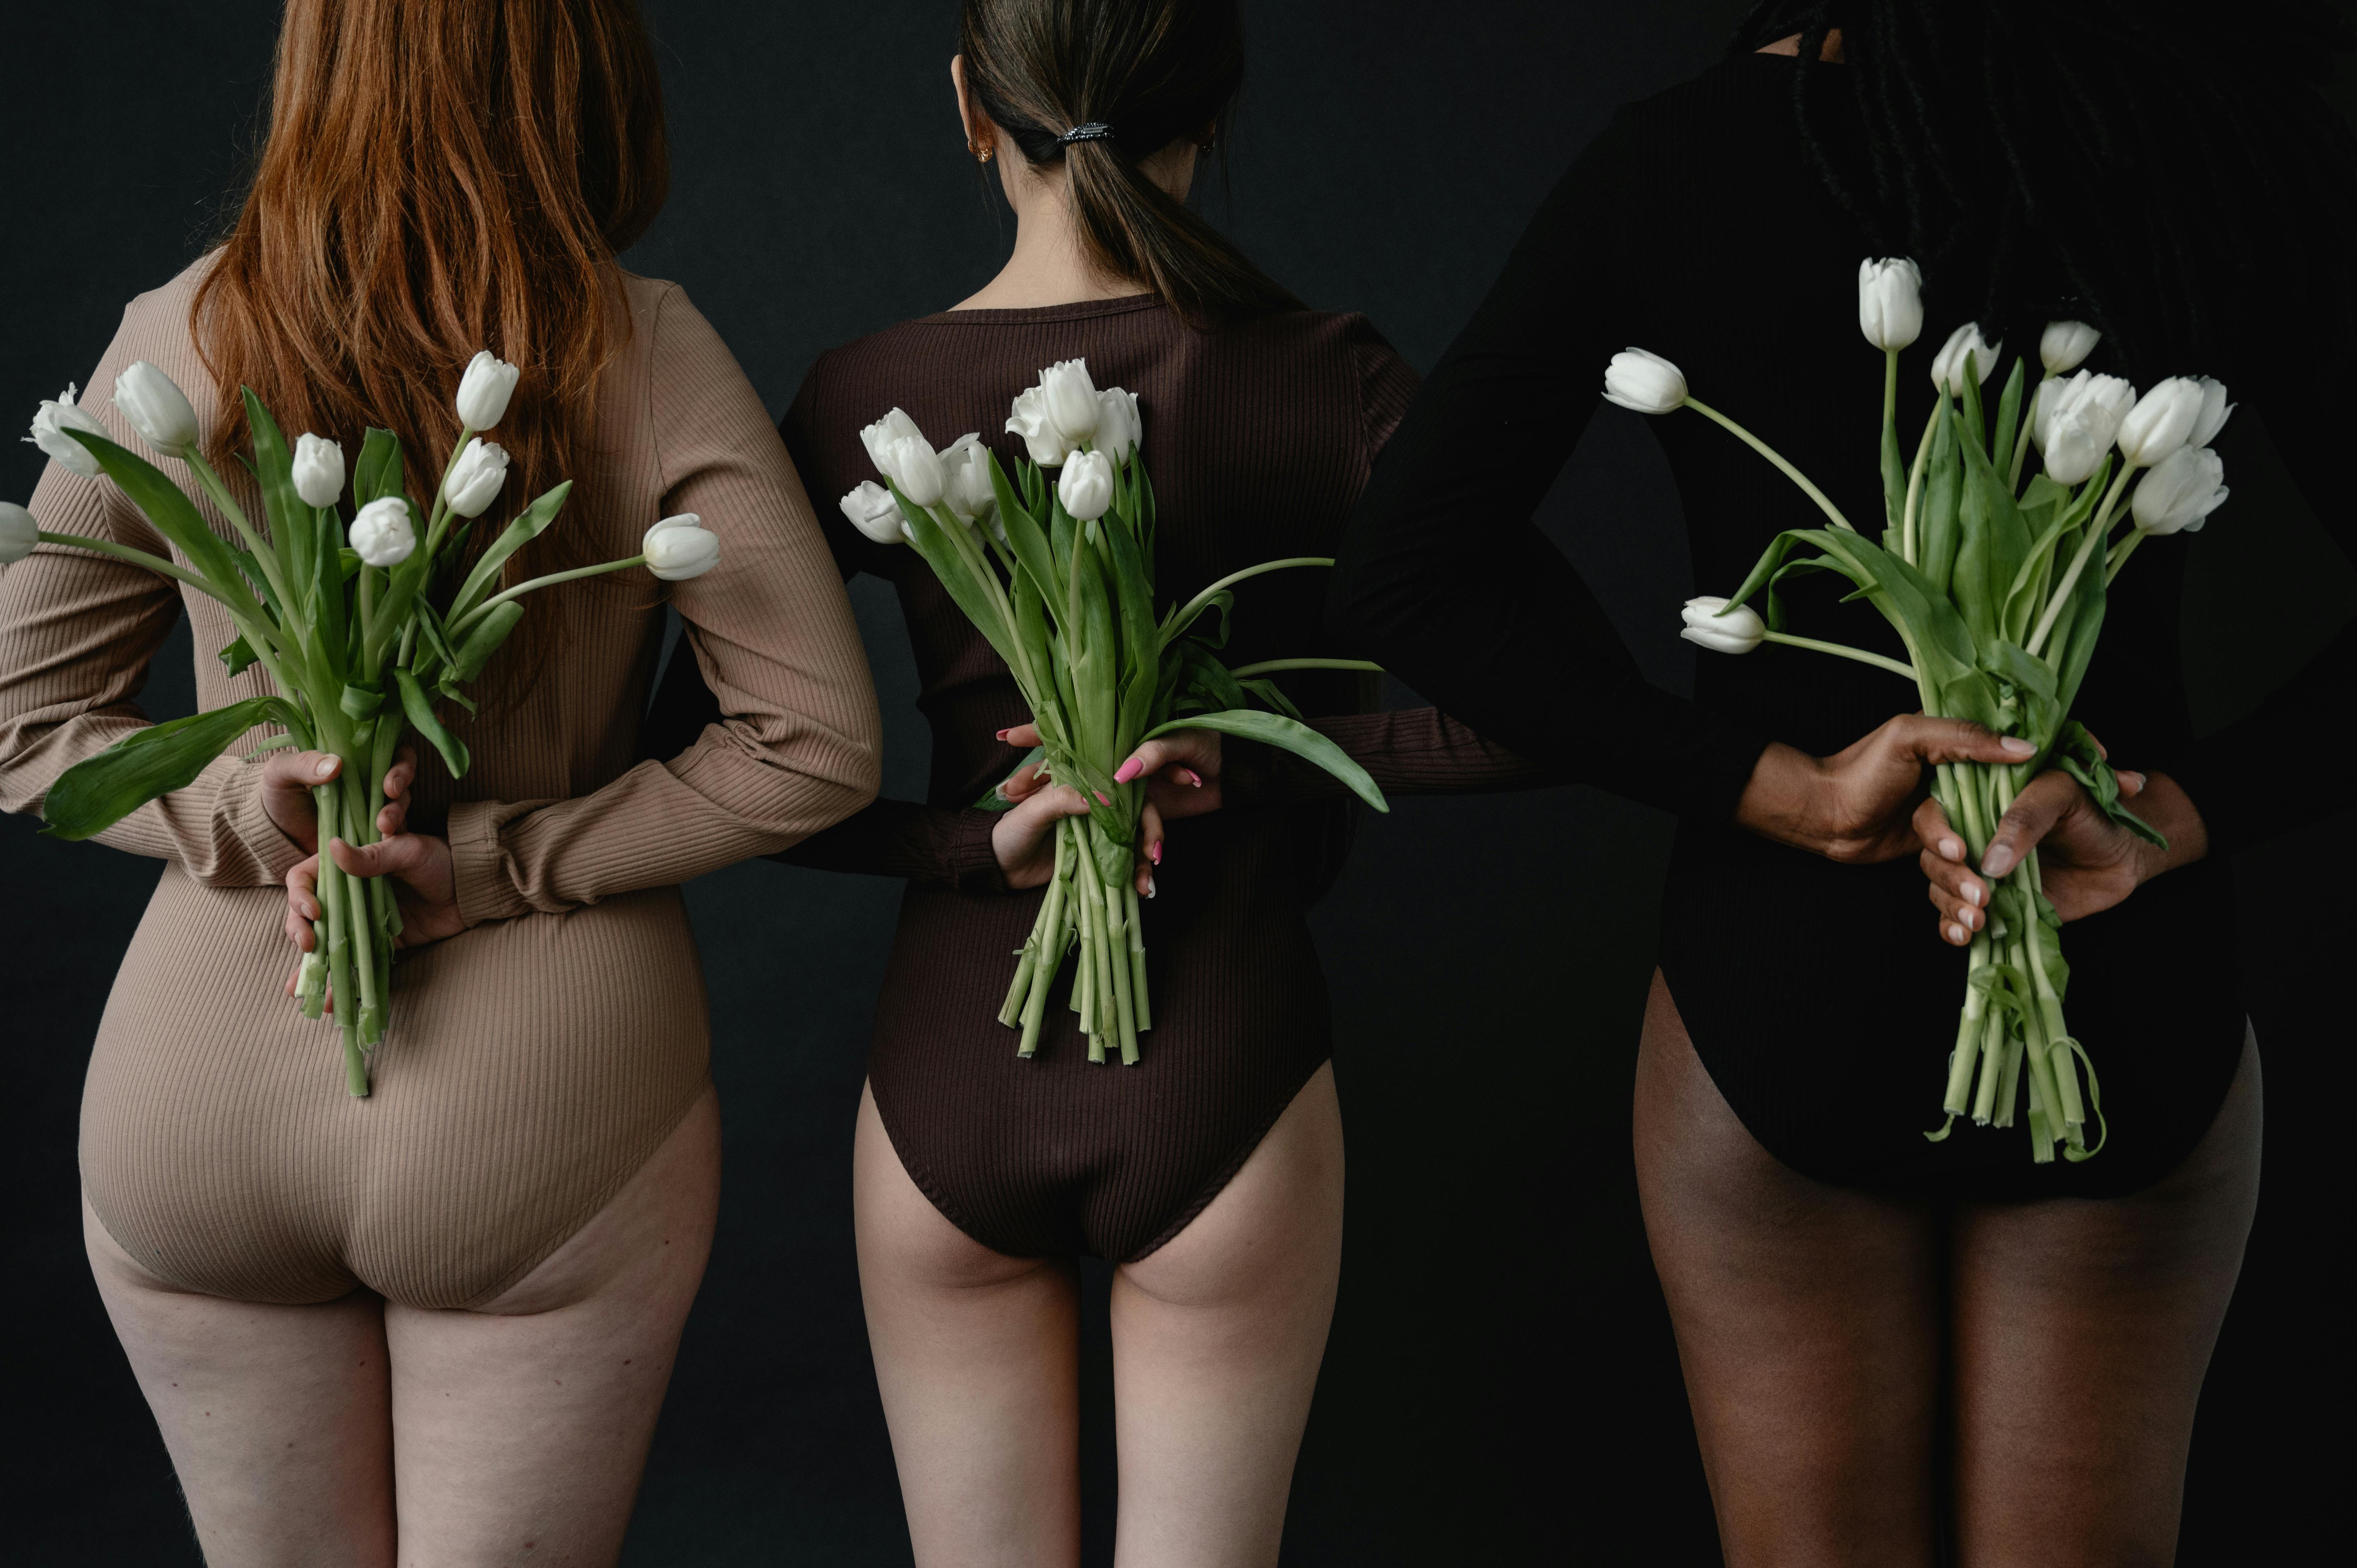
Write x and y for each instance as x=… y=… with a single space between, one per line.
x=1062 y=579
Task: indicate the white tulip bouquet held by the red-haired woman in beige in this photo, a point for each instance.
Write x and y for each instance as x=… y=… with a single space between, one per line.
x=359 y=631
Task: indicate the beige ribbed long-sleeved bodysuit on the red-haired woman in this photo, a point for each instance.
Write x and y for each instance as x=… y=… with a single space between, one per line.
x=536 y=1060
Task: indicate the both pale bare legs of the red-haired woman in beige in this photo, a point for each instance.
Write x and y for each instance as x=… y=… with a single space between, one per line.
x=364 y=1432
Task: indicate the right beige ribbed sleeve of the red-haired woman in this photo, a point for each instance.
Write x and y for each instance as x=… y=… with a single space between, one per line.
x=772 y=635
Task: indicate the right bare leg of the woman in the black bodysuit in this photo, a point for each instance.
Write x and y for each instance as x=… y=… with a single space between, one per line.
x=2082 y=1338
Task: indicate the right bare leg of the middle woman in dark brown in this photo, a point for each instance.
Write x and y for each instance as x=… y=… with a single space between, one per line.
x=1217 y=1340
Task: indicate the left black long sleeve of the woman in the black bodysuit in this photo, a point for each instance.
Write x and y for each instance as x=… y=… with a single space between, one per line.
x=1451 y=586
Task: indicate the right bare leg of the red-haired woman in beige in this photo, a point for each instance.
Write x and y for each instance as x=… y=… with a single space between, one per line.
x=522 y=1428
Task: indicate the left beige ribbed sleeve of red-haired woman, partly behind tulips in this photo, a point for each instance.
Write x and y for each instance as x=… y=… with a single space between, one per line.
x=79 y=633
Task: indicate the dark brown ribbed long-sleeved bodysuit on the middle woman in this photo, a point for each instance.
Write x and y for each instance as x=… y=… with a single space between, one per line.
x=1257 y=440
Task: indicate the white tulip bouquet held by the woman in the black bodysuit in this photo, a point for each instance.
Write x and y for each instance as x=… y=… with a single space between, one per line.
x=1998 y=593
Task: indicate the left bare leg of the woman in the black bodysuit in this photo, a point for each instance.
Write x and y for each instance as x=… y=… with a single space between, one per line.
x=1807 y=1326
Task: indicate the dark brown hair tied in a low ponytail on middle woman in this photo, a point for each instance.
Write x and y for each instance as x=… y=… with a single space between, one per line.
x=1149 y=72
